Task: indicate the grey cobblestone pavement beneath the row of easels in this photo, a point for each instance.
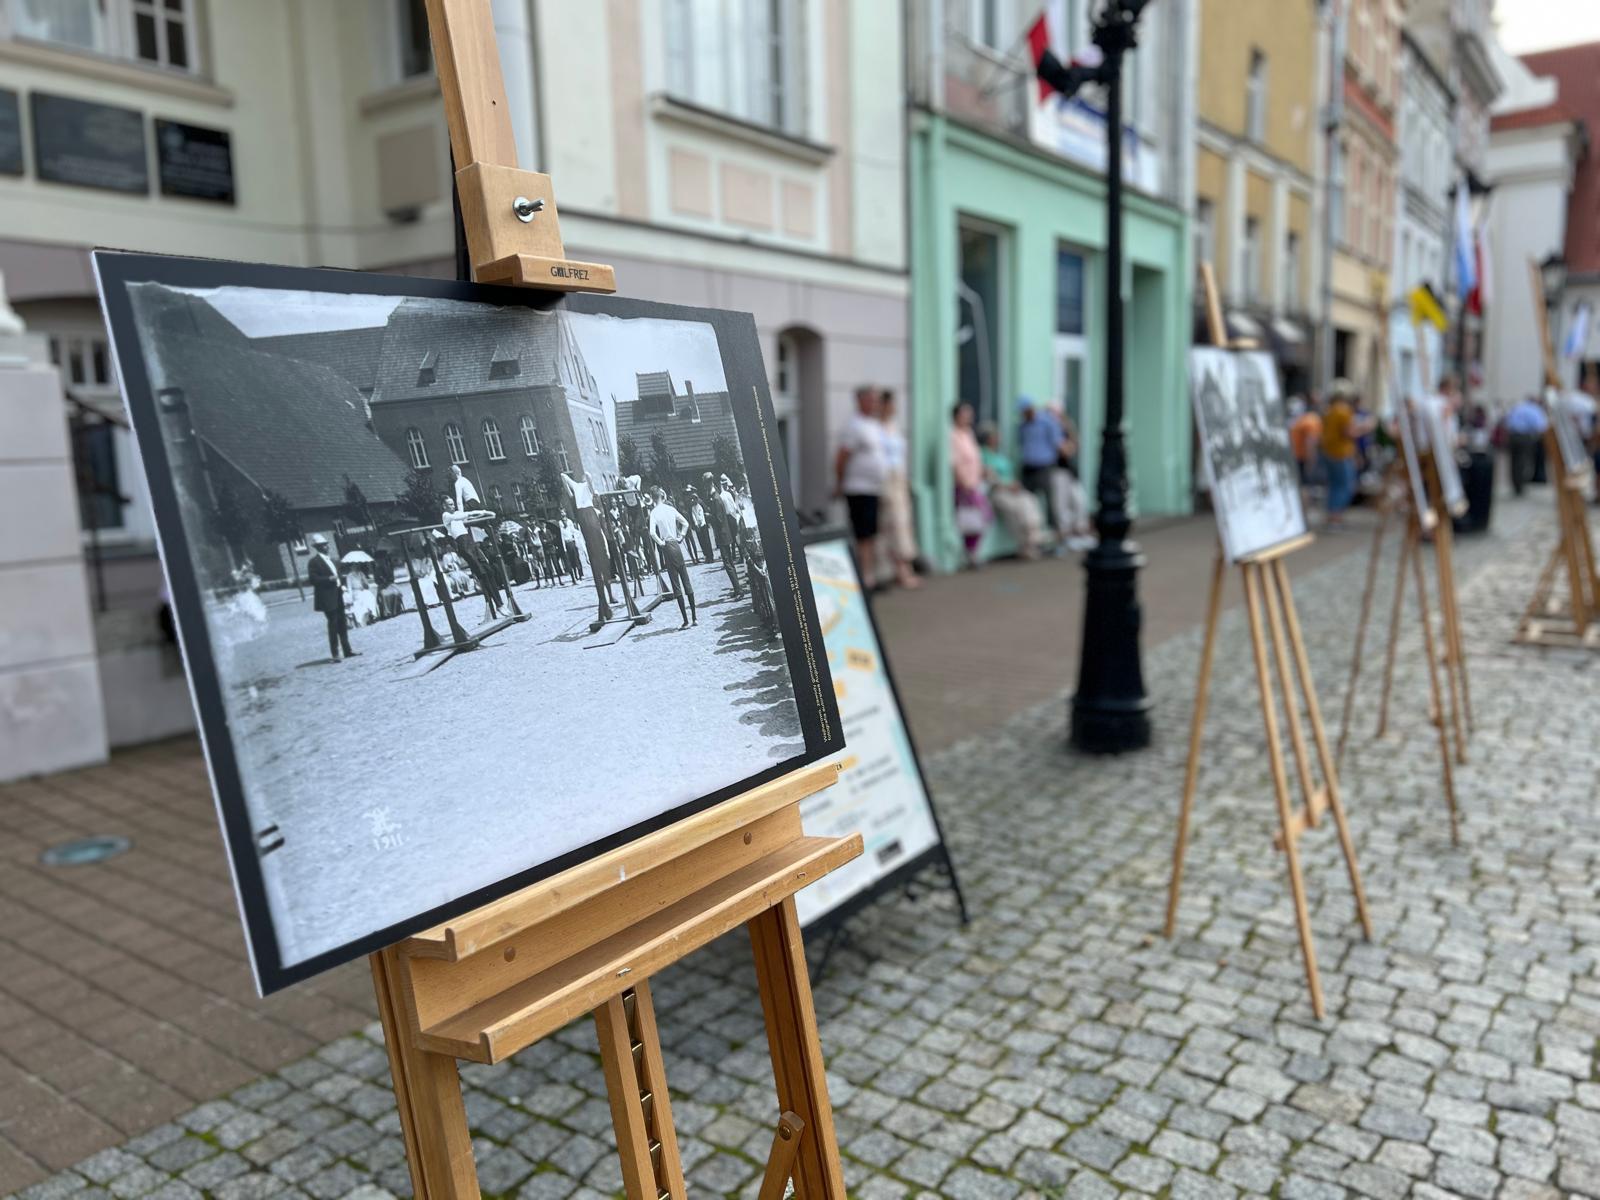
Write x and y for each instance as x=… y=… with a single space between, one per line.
x=1057 y=1047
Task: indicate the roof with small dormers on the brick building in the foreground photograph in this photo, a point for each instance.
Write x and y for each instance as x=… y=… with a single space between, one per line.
x=434 y=348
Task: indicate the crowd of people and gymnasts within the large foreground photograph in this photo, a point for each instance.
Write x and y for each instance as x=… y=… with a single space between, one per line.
x=631 y=543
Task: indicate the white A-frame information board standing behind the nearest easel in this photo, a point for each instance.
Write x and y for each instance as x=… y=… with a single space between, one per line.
x=881 y=793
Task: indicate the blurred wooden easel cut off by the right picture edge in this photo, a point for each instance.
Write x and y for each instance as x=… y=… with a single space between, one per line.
x=1553 y=620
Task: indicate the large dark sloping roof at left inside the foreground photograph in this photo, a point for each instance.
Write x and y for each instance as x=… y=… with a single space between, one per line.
x=290 y=426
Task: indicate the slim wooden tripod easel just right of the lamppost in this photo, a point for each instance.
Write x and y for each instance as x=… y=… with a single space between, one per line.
x=1273 y=618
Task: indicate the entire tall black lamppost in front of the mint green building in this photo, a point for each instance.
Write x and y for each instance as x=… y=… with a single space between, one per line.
x=1110 y=711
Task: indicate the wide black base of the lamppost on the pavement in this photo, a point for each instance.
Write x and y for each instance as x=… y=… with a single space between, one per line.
x=1111 y=713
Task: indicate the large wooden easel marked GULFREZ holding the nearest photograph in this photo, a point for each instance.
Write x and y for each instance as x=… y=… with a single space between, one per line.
x=495 y=982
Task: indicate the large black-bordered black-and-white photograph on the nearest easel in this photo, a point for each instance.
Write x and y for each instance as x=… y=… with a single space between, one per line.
x=471 y=585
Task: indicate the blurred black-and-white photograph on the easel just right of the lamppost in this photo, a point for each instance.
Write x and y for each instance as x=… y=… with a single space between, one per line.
x=1246 y=449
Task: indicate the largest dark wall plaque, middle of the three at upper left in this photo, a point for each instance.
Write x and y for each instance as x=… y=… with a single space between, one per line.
x=89 y=145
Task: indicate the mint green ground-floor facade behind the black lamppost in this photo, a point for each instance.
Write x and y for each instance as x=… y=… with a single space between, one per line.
x=1007 y=263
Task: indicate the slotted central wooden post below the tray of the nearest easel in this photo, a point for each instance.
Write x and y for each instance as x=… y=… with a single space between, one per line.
x=638 y=1089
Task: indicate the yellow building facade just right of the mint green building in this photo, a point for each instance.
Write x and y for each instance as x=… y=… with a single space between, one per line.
x=1257 y=170
